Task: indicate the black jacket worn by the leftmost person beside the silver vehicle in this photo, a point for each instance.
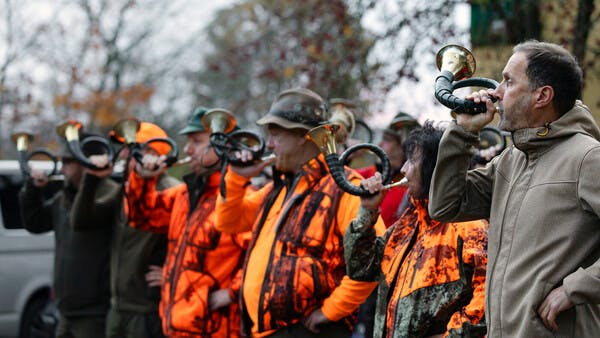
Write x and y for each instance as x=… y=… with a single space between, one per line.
x=81 y=267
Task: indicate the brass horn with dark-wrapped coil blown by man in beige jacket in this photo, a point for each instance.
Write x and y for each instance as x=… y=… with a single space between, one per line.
x=457 y=65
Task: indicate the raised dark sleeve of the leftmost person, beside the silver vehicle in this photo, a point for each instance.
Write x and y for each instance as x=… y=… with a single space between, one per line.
x=35 y=212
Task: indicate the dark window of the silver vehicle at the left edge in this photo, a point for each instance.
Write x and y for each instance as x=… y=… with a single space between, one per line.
x=9 y=201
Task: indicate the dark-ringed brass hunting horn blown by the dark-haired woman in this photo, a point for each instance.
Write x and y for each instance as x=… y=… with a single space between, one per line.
x=324 y=137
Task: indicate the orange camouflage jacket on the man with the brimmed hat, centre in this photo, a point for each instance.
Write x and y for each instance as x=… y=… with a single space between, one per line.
x=295 y=263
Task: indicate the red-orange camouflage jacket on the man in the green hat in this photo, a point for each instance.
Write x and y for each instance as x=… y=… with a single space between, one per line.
x=199 y=260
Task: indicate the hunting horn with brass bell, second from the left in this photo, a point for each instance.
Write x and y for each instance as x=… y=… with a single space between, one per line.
x=70 y=131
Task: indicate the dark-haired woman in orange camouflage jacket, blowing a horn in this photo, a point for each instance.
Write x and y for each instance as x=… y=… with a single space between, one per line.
x=431 y=275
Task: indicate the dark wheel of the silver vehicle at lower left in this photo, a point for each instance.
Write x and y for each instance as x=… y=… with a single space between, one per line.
x=39 y=319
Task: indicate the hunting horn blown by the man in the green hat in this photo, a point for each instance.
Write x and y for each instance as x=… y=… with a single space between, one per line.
x=125 y=132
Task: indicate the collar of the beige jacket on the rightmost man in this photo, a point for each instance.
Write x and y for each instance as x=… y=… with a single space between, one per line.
x=578 y=120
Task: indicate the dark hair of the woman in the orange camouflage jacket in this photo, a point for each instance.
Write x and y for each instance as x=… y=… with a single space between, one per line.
x=425 y=140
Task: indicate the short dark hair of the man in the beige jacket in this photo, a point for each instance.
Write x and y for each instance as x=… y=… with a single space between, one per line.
x=549 y=64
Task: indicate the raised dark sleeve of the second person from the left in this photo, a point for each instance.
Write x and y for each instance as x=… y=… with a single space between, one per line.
x=96 y=203
